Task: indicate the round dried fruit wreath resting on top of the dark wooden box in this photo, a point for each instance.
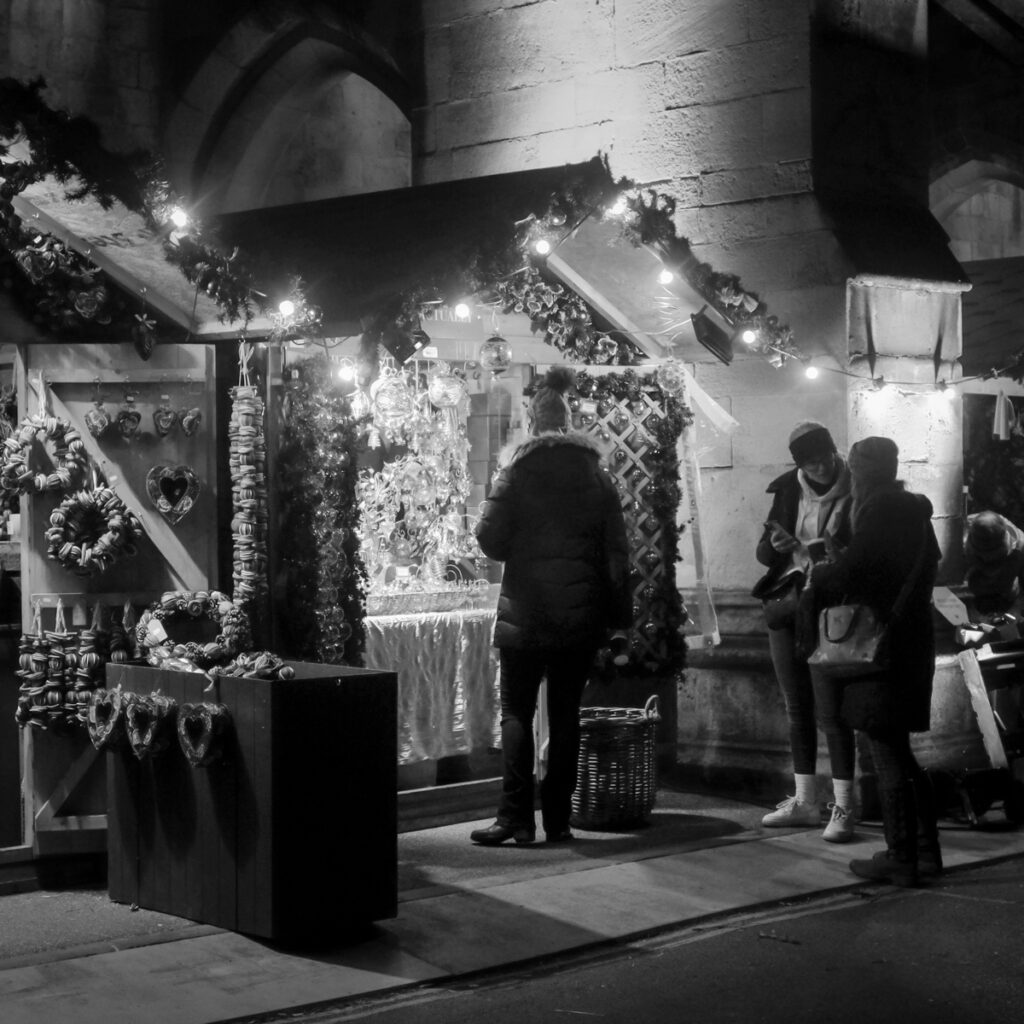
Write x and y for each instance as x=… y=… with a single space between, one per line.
x=209 y=606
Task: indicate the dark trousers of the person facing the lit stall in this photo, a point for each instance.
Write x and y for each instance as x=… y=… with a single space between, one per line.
x=522 y=672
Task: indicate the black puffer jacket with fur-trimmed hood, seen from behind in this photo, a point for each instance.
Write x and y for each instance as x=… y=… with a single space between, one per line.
x=554 y=519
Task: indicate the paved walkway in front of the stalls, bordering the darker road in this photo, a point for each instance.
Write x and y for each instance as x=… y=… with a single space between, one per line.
x=464 y=911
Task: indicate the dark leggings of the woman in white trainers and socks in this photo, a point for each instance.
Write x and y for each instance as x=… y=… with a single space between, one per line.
x=804 y=695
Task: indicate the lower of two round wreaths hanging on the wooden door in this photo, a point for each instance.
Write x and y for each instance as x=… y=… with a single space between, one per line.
x=91 y=530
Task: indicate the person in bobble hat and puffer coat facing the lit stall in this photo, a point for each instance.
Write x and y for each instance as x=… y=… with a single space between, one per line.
x=556 y=520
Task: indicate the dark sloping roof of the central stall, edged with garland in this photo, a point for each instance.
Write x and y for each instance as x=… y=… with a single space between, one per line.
x=360 y=255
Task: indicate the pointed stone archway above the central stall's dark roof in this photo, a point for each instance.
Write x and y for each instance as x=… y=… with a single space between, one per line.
x=290 y=112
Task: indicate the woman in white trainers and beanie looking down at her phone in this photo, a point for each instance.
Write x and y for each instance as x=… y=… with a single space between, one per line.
x=809 y=522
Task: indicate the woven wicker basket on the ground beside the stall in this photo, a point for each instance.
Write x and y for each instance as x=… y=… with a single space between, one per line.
x=617 y=784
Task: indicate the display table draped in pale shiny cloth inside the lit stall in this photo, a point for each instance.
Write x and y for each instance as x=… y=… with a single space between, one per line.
x=448 y=679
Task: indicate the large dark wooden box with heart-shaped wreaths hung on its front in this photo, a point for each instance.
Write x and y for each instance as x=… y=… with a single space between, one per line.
x=292 y=834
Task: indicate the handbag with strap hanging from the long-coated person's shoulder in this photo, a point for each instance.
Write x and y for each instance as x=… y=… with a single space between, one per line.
x=854 y=641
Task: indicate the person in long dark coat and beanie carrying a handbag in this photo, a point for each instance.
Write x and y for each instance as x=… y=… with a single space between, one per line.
x=892 y=542
